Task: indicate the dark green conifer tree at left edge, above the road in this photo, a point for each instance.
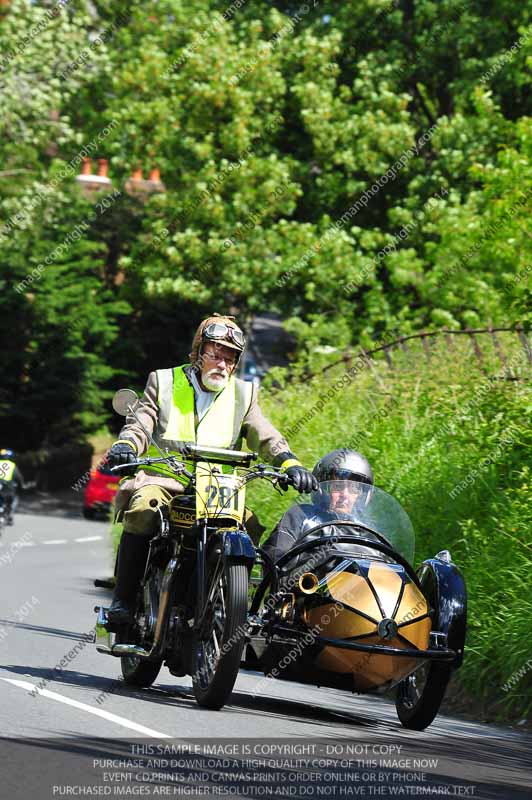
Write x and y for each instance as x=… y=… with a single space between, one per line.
x=57 y=323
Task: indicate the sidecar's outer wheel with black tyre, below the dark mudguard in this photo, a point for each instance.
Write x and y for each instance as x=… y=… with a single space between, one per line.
x=419 y=696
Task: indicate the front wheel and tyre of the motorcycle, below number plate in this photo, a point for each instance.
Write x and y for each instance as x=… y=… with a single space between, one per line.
x=218 y=649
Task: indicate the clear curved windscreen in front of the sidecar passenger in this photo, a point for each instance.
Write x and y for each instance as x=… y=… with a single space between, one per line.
x=367 y=506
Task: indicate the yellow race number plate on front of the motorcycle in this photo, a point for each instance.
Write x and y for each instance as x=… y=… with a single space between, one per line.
x=219 y=494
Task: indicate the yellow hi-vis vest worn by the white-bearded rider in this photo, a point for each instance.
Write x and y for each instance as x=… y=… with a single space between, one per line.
x=219 y=427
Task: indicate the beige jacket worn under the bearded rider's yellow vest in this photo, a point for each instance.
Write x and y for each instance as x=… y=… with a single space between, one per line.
x=258 y=432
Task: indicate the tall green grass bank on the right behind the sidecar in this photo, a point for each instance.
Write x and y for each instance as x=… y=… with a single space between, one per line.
x=429 y=427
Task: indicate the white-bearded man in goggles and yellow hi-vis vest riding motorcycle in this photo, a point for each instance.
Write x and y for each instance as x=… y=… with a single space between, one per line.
x=200 y=402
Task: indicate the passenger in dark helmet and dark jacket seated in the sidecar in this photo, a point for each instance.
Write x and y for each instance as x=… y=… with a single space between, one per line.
x=344 y=471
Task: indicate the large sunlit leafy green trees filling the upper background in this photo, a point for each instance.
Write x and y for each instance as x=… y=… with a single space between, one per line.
x=357 y=167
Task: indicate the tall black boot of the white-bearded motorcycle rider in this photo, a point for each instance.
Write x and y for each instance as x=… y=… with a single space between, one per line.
x=132 y=556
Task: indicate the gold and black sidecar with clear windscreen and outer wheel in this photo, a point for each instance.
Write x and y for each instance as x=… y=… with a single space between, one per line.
x=344 y=608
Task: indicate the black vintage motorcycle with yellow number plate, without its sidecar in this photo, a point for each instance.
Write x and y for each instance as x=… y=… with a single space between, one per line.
x=191 y=611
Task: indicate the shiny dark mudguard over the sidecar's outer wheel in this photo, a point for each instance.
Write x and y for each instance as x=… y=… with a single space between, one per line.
x=445 y=590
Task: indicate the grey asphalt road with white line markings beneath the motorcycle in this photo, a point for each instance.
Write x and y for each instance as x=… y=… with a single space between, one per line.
x=47 y=568
